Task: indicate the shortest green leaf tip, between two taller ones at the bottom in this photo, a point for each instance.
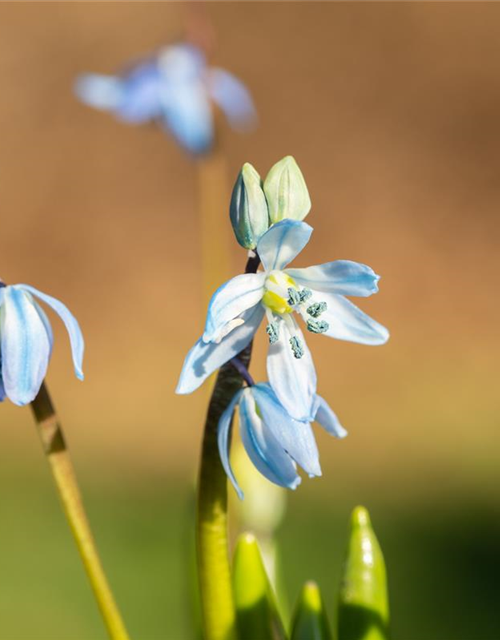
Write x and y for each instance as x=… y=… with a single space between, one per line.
x=310 y=621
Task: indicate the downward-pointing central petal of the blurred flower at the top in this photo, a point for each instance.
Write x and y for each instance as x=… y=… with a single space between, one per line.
x=188 y=116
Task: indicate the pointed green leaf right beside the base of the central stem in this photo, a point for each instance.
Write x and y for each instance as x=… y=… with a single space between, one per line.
x=256 y=612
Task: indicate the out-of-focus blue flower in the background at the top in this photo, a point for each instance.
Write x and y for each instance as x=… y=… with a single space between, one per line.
x=175 y=88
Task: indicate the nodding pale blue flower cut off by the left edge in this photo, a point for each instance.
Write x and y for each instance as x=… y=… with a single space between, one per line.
x=26 y=341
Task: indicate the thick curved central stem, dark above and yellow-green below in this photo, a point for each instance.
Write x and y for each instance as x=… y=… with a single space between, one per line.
x=212 y=526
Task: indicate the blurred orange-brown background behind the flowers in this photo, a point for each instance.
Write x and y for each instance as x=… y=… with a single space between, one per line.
x=392 y=112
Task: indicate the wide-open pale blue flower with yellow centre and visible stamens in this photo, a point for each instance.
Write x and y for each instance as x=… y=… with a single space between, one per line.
x=316 y=294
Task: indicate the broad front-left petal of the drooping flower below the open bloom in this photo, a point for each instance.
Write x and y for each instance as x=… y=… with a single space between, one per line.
x=266 y=453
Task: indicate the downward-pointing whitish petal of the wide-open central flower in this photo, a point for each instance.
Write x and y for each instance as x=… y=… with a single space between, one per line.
x=293 y=380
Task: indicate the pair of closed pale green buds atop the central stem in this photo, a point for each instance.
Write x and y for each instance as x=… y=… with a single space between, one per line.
x=255 y=205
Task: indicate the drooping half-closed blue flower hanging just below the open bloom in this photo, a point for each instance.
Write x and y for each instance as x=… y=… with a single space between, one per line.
x=274 y=441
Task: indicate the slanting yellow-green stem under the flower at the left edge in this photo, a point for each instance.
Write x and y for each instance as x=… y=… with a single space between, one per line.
x=55 y=449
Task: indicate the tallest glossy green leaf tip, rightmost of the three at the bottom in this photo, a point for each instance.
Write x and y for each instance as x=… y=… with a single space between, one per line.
x=363 y=608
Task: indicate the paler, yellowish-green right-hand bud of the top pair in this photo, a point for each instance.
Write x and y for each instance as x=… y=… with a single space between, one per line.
x=286 y=191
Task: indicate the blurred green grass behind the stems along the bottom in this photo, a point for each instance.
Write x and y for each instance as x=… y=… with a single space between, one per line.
x=443 y=560
